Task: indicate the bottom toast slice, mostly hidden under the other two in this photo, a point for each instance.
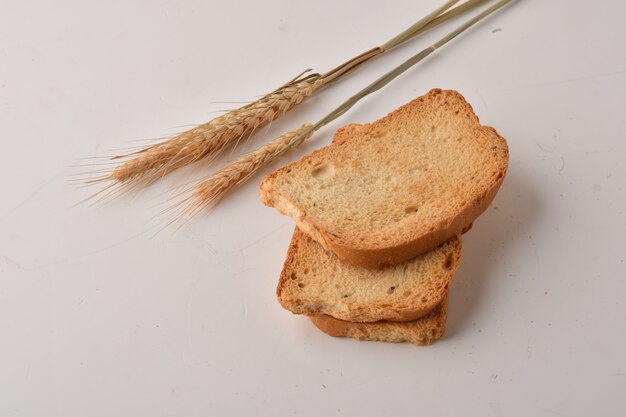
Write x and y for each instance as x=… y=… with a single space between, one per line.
x=423 y=331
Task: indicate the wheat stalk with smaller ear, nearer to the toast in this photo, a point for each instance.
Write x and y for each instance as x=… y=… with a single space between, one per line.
x=214 y=187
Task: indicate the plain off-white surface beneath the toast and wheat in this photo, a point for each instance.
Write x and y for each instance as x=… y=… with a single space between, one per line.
x=98 y=317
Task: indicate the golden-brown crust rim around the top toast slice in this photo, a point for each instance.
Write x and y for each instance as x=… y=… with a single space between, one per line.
x=398 y=247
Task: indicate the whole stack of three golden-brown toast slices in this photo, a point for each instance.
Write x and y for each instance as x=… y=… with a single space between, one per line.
x=380 y=213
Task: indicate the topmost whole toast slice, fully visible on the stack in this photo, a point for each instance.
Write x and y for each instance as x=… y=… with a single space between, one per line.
x=388 y=191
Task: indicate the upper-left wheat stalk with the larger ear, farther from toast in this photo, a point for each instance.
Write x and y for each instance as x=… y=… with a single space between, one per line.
x=156 y=161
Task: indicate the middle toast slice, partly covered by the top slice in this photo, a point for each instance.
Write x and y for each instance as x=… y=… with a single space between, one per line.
x=314 y=281
